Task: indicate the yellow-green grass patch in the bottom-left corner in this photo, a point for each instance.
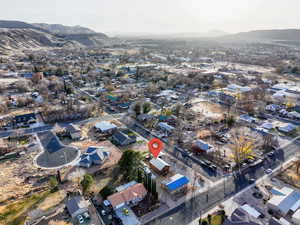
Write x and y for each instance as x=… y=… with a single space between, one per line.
x=15 y=213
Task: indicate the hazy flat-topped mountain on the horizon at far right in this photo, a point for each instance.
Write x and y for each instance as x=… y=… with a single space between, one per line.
x=273 y=35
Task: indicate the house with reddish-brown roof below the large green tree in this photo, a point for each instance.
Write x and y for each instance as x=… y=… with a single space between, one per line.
x=130 y=196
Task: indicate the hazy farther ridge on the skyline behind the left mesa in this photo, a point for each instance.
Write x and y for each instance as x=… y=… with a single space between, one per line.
x=62 y=29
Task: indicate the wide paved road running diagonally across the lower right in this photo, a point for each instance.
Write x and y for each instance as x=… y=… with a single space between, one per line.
x=191 y=210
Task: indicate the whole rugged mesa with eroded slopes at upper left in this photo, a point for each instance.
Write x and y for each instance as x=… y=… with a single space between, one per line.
x=20 y=35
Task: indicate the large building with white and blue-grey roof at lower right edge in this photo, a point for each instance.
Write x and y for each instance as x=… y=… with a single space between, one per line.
x=284 y=200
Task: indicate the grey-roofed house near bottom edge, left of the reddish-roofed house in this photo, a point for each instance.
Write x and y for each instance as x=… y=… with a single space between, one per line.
x=77 y=206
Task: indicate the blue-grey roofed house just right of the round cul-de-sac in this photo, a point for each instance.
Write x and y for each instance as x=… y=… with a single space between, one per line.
x=94 y=155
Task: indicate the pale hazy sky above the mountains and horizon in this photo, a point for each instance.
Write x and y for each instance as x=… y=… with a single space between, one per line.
x=157 y=16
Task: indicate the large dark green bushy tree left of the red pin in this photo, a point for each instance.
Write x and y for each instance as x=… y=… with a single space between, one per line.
x=130 y=163
